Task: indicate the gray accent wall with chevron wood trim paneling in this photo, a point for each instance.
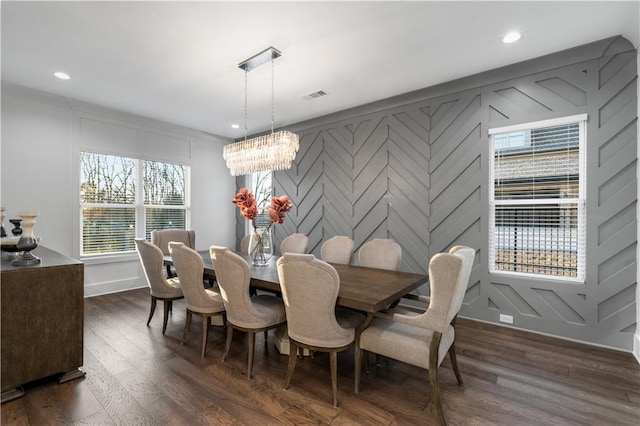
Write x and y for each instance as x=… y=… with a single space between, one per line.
x=415 y=168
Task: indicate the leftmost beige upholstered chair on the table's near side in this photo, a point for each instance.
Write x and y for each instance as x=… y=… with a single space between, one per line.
x=160 y=287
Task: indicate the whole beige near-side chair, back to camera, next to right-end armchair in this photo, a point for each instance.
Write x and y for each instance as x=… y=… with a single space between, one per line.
x=310 y=290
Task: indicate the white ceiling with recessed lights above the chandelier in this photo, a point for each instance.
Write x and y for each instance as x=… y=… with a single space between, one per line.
x=177 y=61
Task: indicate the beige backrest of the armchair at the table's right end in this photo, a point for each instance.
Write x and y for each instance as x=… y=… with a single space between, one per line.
x=448 y=280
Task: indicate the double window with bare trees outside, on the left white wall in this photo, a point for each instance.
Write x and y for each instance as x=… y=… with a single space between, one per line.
x=121 y=198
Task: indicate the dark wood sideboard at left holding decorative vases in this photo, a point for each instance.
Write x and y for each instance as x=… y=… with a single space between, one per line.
x=42 y=321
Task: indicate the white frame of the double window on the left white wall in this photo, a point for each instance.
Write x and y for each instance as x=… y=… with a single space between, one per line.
x=139 y=207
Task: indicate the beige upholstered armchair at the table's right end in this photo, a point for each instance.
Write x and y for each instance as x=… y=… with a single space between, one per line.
x=423 y=340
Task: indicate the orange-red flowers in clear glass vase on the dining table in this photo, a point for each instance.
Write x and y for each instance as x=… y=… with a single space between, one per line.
x=260 y=247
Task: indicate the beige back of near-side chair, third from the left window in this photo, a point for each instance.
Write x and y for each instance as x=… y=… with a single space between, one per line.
x=233 y=277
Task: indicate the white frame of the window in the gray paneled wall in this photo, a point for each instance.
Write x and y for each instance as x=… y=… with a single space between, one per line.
x=580 y=201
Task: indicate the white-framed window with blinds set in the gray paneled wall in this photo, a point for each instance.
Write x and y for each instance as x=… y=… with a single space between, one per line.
x=537 y=206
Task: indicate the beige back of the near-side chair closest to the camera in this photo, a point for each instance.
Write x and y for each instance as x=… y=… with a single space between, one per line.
x=310 y=290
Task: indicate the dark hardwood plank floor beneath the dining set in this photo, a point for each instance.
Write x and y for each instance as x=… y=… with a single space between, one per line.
x=135 y=375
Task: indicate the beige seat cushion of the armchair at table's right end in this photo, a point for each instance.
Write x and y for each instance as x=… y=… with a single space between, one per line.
x=403 y=342
